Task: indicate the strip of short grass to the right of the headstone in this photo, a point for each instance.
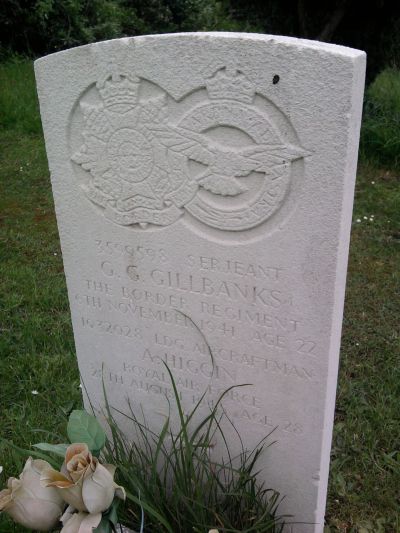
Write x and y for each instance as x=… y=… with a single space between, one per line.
x=363 y=475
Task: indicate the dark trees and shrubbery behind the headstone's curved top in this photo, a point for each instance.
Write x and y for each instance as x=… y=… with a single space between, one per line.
x=38 y=27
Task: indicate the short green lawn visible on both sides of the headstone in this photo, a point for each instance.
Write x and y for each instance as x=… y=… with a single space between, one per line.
x=36 y=343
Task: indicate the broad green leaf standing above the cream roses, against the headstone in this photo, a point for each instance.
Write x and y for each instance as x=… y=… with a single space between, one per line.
x=85 y=428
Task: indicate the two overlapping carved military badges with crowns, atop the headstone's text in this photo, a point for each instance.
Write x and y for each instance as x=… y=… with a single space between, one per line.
x=138 y=161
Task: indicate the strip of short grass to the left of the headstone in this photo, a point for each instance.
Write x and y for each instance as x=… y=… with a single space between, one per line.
x=36 y=341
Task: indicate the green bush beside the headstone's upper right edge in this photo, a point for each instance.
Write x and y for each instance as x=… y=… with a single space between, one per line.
x=380 y=135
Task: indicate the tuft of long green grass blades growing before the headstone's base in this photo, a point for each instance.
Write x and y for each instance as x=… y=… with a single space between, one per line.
x=172 y=478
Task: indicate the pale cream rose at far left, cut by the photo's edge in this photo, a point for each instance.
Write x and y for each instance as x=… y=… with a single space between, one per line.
x=28 y=502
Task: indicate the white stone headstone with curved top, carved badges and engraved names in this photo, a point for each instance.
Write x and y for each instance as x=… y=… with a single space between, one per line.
x=207 y=179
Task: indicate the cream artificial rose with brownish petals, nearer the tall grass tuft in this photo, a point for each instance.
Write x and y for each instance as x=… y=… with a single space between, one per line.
x=84 y=483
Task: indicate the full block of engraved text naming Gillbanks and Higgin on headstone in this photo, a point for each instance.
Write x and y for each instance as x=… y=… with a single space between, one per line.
x=154 y=306
